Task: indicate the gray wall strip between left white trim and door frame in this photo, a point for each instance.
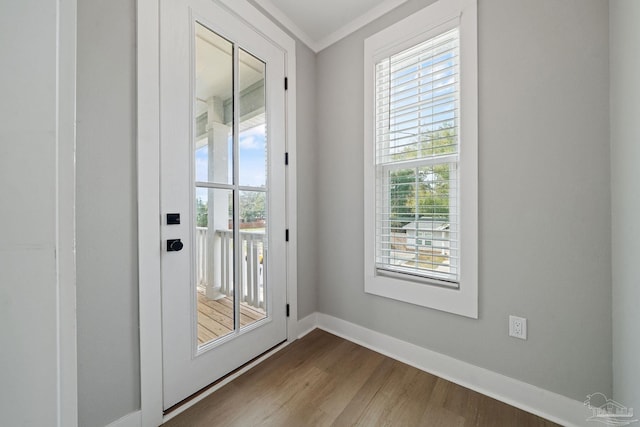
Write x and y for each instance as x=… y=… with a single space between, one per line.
x=108 y=347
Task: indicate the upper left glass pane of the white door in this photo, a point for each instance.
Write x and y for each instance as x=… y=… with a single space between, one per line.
x=213 y=107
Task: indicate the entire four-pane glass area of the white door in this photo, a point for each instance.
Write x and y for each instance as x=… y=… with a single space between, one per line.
x=231 y=280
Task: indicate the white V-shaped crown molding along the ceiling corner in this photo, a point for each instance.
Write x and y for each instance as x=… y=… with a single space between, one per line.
x=335 y=36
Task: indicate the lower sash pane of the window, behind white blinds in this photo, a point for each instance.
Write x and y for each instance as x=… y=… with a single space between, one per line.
x=416 y=220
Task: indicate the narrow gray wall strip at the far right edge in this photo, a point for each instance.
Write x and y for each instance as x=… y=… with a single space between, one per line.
x=625 y=158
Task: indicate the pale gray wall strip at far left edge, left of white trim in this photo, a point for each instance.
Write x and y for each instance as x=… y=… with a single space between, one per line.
x=28 y=194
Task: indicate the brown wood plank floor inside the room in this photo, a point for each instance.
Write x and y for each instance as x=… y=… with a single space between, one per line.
x=324 y=380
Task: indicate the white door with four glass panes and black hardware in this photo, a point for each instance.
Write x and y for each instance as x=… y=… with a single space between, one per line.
x=222 y=194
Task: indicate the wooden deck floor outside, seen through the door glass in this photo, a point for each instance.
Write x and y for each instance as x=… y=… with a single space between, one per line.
x=215 y=317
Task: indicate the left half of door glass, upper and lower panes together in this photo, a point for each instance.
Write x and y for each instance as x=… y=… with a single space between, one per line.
x=213 y=166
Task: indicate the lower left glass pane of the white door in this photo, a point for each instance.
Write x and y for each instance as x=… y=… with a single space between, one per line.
x=214 y=263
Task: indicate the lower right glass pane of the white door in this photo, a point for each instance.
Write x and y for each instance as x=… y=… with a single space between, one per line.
x=253 y=226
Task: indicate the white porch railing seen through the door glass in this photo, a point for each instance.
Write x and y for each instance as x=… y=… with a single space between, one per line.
x=214 y=265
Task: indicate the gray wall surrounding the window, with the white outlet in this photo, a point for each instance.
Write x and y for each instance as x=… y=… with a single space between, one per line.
x=544 y=197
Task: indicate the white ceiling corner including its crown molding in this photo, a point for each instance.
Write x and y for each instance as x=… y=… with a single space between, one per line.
x=319 y=24
